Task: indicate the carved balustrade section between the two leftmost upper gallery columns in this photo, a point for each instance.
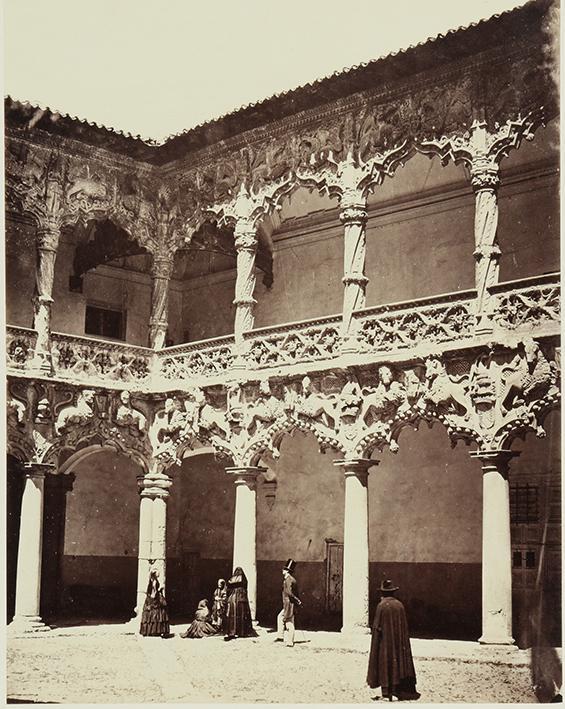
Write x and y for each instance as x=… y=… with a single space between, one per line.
x=86 y=360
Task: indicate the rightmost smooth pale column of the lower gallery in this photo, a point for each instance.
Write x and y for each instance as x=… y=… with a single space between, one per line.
x=497 y=548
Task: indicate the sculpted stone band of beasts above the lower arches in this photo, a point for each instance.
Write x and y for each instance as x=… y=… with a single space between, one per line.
x=485 y=397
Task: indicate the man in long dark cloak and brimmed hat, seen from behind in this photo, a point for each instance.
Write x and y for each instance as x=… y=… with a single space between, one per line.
x=390 y=661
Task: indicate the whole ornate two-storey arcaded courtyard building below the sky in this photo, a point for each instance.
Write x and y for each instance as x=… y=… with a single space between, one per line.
x=346 y=260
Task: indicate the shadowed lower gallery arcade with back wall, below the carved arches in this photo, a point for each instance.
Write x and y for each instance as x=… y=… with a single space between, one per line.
x=425 y=526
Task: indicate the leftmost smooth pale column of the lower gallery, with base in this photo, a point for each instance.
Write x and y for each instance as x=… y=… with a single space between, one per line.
x=28 y=580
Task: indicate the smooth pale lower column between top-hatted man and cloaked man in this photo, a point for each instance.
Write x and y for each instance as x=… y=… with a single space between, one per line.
x=356 y=545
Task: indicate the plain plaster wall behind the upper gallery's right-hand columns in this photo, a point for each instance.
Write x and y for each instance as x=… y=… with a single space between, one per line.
x=414 y=249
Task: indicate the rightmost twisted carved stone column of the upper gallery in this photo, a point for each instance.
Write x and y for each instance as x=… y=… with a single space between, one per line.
x=485 y=181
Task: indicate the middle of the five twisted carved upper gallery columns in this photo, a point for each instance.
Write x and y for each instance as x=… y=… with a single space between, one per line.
x=246 y=248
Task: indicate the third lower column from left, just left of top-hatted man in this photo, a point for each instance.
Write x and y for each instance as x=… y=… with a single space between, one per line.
x=245 y=528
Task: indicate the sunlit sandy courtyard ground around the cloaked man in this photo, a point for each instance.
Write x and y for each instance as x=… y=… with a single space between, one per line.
x=102 y=667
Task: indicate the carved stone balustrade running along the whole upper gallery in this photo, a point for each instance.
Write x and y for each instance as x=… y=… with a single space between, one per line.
x=395 y=332
